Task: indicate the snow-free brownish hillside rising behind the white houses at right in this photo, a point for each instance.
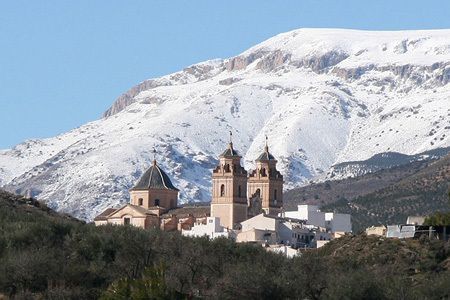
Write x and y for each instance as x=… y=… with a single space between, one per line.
x=385 y=197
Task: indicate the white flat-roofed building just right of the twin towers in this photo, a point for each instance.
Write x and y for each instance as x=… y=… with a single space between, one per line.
x=312 y=215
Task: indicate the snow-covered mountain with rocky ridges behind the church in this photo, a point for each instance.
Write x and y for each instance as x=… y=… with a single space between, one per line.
x=322 y=96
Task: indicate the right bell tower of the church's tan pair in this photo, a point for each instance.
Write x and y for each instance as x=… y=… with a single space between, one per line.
x=267 y=183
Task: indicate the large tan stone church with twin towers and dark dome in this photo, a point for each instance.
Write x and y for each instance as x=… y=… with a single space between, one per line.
x=236 y=196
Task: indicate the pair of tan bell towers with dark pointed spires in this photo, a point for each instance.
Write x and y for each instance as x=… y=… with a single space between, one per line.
x=238 y=195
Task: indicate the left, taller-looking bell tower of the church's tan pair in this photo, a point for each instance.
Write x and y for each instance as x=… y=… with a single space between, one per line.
x=229 y=188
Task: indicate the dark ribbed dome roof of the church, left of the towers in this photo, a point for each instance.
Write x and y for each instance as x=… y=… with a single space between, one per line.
x=154 y=178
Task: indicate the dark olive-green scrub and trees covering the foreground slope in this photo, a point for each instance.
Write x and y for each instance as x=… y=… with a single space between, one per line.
x=47 y=256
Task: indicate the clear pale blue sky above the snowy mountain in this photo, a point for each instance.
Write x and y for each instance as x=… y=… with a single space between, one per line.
x=63 y=63
